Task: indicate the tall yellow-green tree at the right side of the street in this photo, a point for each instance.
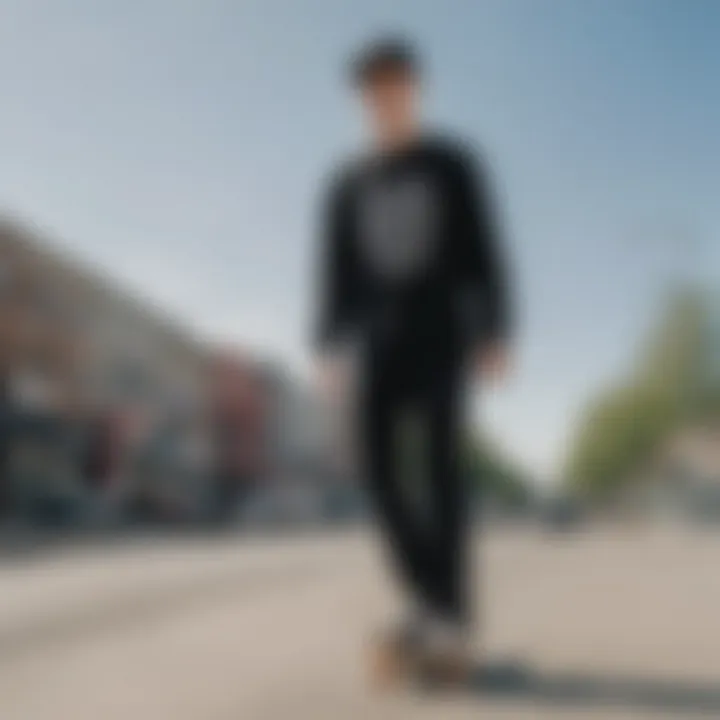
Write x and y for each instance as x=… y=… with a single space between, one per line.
x=667 y=387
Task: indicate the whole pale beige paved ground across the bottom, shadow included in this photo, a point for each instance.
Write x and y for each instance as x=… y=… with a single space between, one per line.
x=603 y=625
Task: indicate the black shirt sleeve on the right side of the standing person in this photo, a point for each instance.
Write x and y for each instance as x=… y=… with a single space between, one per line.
x=482 y=267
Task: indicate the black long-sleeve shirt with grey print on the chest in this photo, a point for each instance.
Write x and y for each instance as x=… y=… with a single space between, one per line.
x=411 y=251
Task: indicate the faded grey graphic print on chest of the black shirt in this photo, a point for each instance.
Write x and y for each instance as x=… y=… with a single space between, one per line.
x=398 y=226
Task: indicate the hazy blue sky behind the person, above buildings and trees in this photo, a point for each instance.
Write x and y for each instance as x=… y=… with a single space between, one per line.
x=181 y=145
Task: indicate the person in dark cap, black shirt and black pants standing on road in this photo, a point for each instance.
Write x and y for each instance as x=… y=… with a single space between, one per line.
x=414 y=295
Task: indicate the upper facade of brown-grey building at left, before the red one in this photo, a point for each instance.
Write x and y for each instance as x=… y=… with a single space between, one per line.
x=74 y=332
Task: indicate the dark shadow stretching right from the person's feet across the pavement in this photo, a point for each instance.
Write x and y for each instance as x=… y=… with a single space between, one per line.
x=516 y=683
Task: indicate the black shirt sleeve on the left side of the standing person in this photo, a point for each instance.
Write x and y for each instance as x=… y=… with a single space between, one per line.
x=338 y=281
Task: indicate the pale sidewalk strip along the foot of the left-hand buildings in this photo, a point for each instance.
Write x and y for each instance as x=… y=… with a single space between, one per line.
x=67 y=592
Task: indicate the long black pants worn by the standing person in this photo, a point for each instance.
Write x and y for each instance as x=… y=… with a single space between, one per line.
x=428 y=549
